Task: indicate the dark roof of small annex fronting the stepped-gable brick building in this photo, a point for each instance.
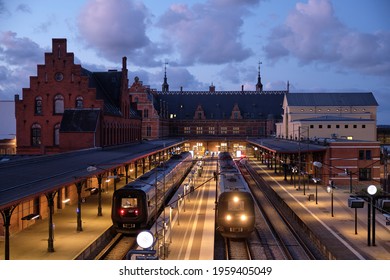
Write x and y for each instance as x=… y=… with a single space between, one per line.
x=80 y=120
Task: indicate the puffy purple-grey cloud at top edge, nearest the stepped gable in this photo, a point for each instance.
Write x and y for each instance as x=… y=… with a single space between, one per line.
x=115 y=28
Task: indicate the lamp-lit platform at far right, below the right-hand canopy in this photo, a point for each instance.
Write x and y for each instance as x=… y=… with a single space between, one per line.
x=338 y=231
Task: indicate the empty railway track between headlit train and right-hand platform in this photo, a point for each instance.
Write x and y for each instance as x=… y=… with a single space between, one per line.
x=278 y=238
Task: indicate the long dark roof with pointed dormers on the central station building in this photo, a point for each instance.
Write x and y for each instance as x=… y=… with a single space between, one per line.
x=219 y=105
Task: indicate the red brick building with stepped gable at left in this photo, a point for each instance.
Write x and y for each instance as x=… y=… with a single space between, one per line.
x=68 y=107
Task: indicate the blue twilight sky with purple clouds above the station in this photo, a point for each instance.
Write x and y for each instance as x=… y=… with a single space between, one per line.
x=316 y=45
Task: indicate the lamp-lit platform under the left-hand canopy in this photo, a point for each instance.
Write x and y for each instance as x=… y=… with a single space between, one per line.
x=32 y=243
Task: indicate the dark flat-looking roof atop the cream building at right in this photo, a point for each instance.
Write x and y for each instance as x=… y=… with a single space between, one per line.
x=331 y=99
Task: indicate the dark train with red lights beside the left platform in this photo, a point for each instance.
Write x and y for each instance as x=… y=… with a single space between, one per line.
x=135 y=206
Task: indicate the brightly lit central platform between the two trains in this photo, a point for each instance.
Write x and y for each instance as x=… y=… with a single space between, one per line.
x=190 y=234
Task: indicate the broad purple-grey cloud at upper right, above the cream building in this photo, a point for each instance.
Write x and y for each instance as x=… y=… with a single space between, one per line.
x=312 y=33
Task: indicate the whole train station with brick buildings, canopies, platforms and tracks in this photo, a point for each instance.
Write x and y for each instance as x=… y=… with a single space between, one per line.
x=312 y=161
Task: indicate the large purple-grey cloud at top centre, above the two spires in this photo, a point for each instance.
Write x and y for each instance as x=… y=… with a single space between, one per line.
x=207 y=33
